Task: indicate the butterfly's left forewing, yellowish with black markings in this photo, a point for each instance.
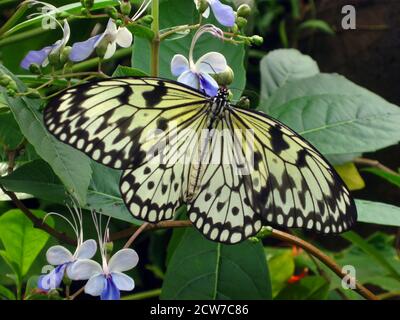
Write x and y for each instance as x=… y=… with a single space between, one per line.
x=118 y=121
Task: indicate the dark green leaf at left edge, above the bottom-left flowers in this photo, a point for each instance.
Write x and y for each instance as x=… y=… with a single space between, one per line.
x=35 y=178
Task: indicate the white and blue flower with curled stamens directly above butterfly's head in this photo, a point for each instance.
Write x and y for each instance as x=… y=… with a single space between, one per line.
x=197 y=74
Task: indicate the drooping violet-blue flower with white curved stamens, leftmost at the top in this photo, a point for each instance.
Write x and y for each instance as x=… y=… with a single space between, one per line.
x=40 y=57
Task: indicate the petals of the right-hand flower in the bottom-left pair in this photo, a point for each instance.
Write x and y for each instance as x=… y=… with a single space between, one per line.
x=107 y=280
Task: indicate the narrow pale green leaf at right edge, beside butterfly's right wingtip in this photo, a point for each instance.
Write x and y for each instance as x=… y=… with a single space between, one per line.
x=378 y=213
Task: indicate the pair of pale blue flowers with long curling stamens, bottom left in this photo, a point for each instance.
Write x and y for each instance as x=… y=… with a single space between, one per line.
x=105 y=280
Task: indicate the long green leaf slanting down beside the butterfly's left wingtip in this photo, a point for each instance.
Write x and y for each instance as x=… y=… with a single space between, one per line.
x=70 y=165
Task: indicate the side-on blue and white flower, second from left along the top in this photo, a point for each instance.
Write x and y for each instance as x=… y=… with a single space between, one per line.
x=107 y=41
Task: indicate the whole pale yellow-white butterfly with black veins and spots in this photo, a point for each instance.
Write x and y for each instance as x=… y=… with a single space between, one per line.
x=236 y=169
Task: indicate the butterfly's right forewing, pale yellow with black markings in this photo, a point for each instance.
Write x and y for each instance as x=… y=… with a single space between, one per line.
x=292 y=184
